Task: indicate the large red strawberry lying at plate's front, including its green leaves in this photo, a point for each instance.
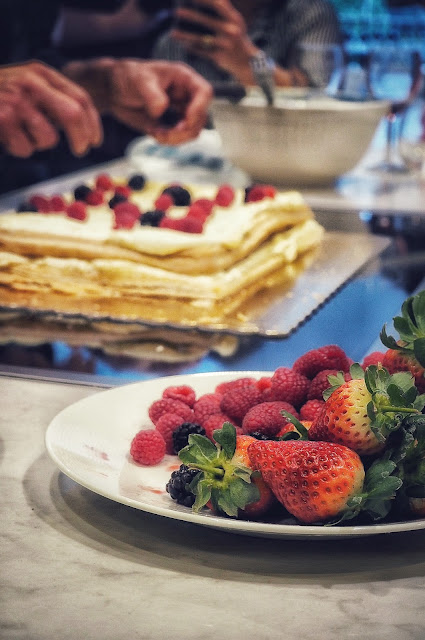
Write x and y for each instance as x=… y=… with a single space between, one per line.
x=321 y=481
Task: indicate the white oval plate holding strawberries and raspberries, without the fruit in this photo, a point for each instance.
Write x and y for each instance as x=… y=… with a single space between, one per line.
x=90 y=441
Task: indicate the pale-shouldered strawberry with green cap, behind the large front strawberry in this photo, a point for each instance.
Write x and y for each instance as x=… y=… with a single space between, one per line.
x=362 y=412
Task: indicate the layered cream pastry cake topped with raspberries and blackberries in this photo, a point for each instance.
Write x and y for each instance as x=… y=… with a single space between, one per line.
x=112 y=264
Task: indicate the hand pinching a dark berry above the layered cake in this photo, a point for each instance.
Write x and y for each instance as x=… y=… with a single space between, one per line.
x=139 y=93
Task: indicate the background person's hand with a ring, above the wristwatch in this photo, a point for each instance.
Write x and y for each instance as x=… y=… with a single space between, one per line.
x=230 y=47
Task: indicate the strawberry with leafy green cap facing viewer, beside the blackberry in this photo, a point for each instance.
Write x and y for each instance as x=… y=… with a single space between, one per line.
x=226 y=484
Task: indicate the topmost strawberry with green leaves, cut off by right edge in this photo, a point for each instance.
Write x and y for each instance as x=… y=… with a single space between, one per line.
x=408 y=353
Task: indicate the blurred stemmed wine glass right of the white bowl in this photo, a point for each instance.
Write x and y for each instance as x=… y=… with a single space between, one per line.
x=394 y=75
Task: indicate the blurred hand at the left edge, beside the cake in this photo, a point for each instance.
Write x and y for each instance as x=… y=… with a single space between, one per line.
x=35 y=102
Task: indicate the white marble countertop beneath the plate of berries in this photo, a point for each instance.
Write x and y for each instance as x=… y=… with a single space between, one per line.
x=75 y=565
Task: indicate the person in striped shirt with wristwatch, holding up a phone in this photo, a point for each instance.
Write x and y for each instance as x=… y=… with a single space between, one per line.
x=229 y=36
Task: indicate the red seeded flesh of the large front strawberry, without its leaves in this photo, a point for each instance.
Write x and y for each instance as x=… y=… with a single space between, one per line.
x=313 y=480
